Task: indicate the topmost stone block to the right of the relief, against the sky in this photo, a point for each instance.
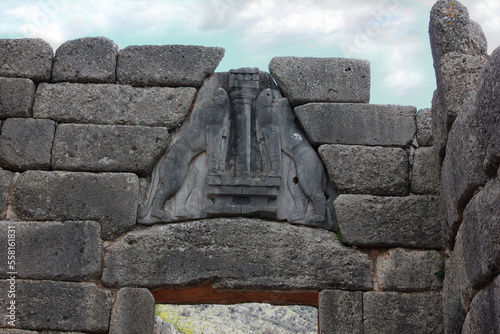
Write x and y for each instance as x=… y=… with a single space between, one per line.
x=306 y=79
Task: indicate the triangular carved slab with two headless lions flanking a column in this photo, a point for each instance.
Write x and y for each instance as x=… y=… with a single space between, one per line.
x=240 y=153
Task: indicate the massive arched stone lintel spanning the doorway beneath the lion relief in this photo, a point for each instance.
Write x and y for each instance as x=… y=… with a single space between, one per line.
x=236 y=253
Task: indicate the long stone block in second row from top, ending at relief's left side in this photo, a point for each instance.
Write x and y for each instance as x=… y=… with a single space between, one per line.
x=113 y=104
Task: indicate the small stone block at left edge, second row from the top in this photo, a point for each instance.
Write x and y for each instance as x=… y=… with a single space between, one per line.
x=17 y=99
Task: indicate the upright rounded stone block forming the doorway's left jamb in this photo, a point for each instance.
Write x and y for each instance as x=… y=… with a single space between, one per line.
x=133 y=312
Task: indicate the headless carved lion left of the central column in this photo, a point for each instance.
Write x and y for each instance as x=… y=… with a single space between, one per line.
x=207 y=131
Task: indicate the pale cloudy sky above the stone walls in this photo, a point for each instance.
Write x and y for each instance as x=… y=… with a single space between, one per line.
x=391 y=34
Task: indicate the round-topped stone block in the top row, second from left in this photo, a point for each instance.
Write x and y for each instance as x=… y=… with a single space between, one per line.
x=89 y=59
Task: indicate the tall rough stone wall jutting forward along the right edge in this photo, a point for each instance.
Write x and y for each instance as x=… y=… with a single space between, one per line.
x=466 y=129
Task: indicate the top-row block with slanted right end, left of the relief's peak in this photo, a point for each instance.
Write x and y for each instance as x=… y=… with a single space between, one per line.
x=168 y=65
